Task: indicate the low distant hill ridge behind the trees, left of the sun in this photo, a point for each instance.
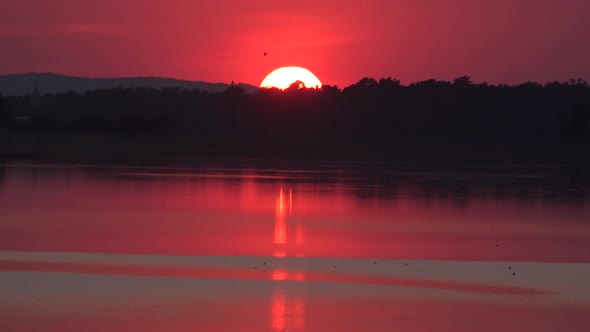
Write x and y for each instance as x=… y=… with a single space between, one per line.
x=22 y=84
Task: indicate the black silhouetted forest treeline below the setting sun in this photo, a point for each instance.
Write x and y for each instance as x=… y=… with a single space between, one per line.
x=368 y=116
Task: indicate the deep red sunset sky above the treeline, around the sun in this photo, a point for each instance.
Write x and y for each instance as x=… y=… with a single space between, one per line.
x=497 y=41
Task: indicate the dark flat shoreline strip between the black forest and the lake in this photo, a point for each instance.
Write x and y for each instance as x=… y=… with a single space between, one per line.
x=169 y=149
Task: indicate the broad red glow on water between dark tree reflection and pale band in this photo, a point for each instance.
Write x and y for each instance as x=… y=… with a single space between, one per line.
x=264 y=216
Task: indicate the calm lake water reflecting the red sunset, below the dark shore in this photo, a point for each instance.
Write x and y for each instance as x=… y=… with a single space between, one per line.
x=273 y=246
